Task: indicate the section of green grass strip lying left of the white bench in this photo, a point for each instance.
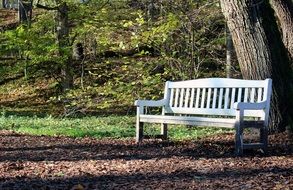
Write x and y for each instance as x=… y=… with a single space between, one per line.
x=98 y=127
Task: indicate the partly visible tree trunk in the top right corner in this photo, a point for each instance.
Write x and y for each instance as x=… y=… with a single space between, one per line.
x=284 y=12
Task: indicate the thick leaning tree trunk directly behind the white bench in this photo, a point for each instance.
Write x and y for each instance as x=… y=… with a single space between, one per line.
x=261 y=53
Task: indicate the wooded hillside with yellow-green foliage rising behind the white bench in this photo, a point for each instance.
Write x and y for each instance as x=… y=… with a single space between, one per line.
x=124 y=55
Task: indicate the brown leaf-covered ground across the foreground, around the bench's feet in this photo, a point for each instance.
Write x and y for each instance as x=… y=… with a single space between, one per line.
x=31 y=162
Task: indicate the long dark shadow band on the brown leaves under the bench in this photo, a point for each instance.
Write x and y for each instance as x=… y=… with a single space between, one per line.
x=16 y=147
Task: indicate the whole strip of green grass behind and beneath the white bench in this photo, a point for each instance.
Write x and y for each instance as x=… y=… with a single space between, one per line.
x=98 y=127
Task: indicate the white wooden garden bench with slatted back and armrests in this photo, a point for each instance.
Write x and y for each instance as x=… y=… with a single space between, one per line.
x=217 y=102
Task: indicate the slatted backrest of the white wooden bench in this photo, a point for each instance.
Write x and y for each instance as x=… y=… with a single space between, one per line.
x=216 y=96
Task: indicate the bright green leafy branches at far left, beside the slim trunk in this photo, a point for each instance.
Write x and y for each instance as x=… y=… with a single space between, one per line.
x=35 y=45
